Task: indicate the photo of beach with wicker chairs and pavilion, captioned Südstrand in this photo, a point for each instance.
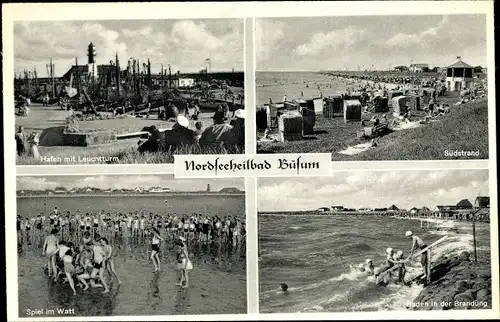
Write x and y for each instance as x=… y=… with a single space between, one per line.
x=392 y=87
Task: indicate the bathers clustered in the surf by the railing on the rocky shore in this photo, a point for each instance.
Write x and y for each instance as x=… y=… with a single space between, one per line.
x=394 y=264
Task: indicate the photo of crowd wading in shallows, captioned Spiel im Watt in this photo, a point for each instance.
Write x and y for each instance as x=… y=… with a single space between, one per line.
x=130 y=245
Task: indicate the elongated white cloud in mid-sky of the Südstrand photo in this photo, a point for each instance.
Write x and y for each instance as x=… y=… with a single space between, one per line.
x=336 y=39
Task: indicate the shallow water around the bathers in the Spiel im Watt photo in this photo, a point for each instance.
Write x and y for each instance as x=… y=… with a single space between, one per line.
x=217 y=282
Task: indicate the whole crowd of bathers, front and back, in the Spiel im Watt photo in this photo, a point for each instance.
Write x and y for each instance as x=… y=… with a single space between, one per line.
x=81 y=248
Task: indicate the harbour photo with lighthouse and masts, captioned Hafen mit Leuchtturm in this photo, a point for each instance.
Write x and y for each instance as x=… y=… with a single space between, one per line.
x=127 y=91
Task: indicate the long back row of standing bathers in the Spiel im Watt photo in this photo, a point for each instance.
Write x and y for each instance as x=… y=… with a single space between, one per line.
x=125 y=230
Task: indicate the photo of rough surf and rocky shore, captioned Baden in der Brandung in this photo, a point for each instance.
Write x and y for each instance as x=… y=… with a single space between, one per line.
x=364 y=241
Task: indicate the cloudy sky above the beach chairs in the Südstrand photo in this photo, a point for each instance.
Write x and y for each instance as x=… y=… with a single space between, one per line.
x=370 y=42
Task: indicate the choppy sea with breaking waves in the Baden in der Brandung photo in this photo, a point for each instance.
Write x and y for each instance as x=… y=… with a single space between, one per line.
x=317 y=257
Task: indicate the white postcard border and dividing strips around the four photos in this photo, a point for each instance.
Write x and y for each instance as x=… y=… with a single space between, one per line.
x=86 y=11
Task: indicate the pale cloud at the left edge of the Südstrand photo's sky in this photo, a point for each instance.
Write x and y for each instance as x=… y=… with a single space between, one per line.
x=267 y=35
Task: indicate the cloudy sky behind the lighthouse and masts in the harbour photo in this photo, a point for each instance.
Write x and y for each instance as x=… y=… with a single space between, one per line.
x=185 y=44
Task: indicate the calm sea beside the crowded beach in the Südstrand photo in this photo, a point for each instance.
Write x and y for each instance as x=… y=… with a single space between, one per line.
x=275 y=85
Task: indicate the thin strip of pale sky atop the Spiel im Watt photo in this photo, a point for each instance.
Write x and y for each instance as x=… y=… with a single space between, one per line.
x=125 y=182
